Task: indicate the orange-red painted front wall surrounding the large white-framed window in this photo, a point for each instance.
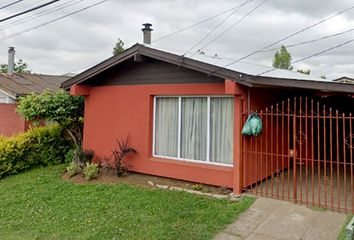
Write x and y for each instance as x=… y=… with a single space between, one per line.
x=113 y=112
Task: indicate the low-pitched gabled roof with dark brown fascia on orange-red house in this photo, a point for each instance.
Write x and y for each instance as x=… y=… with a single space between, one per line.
x=243 y=73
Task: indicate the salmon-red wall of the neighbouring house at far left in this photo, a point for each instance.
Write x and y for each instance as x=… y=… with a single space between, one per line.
x=11 y=122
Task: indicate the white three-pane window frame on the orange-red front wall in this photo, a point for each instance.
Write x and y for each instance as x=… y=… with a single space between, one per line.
x=179 y=97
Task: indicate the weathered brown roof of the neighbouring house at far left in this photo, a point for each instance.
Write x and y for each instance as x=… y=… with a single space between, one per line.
x=21 y=84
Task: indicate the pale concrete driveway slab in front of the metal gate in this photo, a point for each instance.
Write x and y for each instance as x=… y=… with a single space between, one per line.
x=280 y=220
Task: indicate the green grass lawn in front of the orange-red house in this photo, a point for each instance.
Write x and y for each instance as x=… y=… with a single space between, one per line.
x=39 y=205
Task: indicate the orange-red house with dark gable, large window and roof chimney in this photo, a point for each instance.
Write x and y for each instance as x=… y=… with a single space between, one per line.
x=184 y=116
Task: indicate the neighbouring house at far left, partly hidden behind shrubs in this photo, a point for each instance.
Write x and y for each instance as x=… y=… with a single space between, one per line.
x=14 y=85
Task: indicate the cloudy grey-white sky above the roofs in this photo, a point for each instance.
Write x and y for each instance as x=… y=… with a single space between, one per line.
x=79 y=41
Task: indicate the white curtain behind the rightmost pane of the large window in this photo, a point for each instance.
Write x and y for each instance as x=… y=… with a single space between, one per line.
x=221 y=130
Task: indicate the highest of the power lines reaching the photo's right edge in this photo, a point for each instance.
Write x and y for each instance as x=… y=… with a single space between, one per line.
x=291 y=35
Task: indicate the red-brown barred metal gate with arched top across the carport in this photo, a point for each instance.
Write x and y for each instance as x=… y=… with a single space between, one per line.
x=304 y=155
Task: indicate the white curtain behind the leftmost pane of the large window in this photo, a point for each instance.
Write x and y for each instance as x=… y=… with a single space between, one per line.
x=166 y=126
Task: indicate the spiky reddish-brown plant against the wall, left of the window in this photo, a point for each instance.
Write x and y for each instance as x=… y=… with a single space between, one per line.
x=118 y=159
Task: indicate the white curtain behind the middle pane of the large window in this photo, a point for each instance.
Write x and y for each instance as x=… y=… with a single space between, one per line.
x=194 y=128
